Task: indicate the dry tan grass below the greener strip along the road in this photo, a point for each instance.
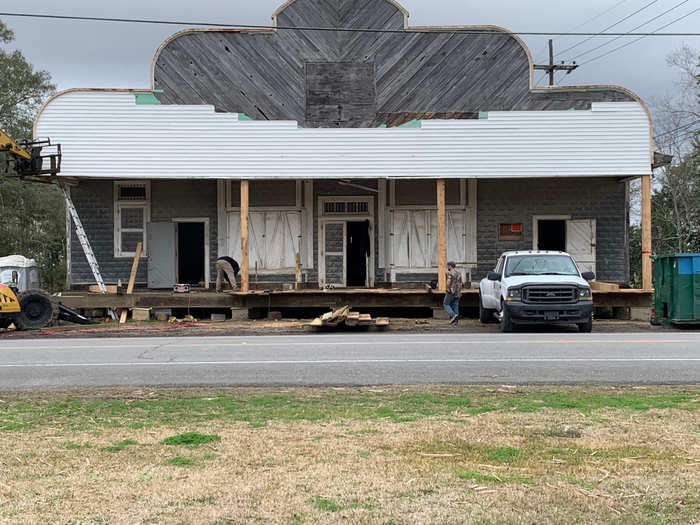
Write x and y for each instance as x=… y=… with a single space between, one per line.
x=626 y=467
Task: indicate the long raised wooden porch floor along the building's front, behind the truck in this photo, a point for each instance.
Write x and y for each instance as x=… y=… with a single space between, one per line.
x=355 y=297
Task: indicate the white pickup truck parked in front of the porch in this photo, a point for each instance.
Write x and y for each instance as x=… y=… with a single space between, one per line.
x=536 y=287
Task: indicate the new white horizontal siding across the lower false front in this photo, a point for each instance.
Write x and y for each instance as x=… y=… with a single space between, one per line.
x=107 y=135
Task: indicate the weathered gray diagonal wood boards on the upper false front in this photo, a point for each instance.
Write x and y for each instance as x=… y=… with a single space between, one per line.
x=353 y=79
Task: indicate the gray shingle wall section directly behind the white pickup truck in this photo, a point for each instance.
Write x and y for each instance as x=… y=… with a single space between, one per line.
x=517 y=201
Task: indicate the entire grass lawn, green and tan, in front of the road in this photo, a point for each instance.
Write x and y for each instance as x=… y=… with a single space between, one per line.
x=367 y=455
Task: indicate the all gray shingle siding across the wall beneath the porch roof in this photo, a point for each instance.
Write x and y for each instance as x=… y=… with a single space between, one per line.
x=499 y=201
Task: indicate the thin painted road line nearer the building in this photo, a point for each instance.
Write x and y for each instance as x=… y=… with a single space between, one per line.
x=129 y=345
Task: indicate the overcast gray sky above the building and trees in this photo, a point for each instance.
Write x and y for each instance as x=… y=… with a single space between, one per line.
x=116 y=55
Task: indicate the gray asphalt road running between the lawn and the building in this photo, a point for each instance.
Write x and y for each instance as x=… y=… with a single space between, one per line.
x=353 y=359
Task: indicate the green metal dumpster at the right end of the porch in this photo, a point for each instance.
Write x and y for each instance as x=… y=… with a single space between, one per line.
x=677 y=288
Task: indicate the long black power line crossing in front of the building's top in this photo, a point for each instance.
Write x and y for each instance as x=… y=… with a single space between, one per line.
x=338 y=29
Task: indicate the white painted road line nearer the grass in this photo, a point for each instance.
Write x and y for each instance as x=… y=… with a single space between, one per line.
x=349 y=362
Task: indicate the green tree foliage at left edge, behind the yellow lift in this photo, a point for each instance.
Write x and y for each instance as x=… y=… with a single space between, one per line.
x=32 y=216
